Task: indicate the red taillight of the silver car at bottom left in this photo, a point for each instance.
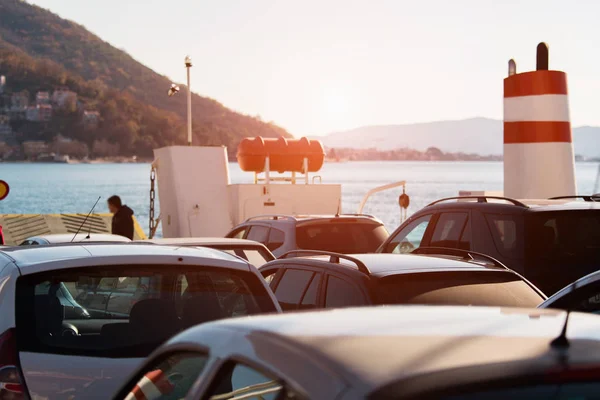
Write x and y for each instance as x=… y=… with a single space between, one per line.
x=11 y=384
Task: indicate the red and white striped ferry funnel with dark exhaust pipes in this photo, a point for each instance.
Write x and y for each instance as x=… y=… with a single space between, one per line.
x=538 y=145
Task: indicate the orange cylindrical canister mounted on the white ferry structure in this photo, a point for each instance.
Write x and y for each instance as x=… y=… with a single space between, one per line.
x=285 y=155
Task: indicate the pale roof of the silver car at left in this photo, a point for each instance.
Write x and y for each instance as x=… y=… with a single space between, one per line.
x=31 y=259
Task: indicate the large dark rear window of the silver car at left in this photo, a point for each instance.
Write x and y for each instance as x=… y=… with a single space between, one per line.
x=127 y=311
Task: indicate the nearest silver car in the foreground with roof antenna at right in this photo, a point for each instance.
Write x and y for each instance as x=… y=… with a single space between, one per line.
x=396 y=352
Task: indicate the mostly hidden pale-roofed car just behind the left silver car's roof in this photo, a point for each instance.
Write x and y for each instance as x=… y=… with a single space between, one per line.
x=255 y=253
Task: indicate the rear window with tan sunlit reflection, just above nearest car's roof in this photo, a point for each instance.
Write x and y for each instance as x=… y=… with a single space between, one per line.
x=484 y=288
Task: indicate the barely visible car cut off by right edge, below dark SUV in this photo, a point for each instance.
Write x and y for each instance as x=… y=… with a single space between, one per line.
x=582 y=295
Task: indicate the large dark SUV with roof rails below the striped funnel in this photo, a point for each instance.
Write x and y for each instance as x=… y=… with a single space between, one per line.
x=551 y=242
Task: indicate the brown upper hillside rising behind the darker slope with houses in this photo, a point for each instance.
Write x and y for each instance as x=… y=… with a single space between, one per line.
x=66 y=53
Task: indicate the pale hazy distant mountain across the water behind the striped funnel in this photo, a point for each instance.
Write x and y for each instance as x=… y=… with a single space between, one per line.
x=476 y=135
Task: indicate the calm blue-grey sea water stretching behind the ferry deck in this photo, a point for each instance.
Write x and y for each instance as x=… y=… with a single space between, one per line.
x=73 y=188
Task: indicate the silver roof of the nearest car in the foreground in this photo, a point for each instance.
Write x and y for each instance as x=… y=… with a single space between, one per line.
x=376 y=346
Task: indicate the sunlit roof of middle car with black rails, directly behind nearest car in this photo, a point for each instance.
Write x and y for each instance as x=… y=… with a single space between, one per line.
x=385 y=264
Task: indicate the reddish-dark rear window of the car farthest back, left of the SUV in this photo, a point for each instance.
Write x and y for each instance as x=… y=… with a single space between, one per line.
x=348 y=236
